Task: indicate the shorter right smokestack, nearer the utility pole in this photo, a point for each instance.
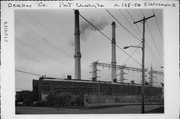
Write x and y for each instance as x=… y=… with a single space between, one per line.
x=113 y=63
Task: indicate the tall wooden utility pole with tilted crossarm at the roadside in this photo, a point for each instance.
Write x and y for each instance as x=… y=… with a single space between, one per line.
x=143 y=57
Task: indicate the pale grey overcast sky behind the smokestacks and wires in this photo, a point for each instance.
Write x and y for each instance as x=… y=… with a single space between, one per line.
x=44 y=42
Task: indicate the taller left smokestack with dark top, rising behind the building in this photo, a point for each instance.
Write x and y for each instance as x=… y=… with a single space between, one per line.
x=77 y=55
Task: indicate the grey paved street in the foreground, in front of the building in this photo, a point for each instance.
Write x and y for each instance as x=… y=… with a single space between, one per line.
x=134 y=109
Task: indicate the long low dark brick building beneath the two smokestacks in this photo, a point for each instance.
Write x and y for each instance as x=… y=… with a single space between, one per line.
x=43 y=87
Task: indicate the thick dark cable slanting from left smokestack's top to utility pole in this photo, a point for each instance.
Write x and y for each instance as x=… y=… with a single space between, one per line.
x=108 y=38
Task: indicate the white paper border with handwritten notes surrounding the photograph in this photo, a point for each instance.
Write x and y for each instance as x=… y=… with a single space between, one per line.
x=171 y=60
